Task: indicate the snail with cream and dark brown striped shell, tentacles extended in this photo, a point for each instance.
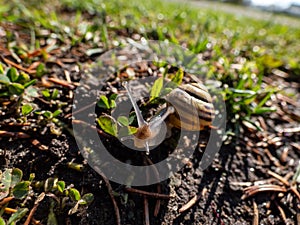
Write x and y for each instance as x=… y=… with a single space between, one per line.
x=191 y=110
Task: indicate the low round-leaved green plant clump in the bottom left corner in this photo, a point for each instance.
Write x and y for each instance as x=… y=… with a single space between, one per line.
x=13 y=189
